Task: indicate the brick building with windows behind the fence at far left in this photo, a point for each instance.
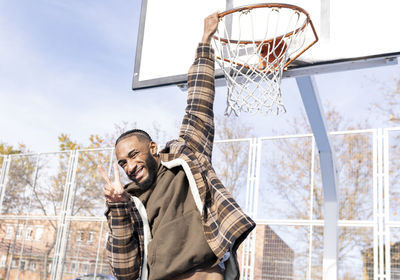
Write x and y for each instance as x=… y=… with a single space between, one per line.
x=27 y=249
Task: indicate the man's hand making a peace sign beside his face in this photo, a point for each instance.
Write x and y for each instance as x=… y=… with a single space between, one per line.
x=113 y=190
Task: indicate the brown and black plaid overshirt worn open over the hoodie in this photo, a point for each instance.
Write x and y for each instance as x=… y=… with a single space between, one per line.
x=225 y=225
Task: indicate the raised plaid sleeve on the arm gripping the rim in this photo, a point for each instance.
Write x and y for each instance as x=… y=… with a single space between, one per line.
x=198 y=123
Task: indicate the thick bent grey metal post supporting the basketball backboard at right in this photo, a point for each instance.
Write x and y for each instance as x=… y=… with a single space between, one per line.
x=316 y=118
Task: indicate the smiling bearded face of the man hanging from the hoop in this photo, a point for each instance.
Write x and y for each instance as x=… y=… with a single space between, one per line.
x=136 y=158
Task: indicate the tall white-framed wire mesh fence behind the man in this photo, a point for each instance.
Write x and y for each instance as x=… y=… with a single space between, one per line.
x=52 y=223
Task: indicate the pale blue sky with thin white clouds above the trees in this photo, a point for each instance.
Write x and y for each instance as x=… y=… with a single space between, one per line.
x=67 y=66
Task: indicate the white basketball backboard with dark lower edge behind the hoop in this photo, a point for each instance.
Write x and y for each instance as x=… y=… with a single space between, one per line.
x=352 y=34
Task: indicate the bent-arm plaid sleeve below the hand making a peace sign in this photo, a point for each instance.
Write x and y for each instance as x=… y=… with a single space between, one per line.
x=123 y=244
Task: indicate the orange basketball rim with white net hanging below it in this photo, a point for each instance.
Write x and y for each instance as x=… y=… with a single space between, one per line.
x=254 y=44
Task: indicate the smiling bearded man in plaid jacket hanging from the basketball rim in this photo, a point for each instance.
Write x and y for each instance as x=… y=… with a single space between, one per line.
x=175 y=220
